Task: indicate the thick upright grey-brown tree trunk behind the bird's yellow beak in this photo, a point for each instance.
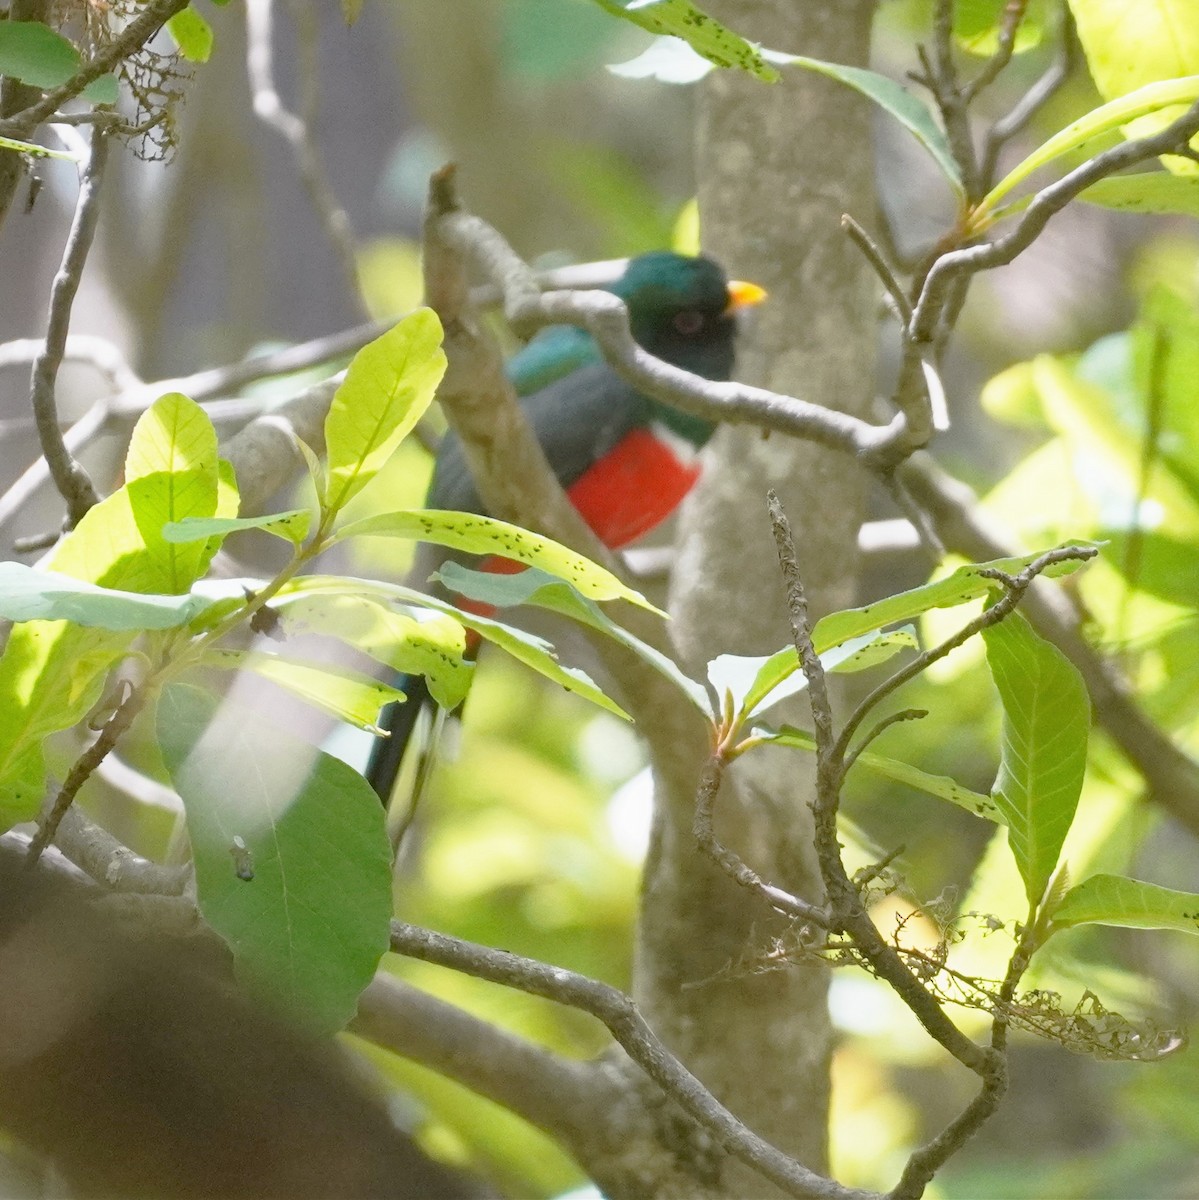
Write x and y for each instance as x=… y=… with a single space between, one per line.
x=778 y=165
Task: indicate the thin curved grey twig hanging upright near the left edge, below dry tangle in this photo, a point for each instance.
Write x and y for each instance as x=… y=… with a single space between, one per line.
x=70 y=478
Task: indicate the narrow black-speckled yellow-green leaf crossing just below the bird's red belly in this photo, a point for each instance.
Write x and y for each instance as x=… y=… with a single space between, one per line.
x=477 y=535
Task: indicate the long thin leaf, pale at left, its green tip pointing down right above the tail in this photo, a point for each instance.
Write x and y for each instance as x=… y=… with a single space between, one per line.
x=533 y=652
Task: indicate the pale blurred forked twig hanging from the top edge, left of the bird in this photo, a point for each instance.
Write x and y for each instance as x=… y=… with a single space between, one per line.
x=298 y=133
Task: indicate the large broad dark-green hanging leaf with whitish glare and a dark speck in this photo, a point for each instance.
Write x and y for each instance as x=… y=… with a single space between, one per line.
x=311 y=925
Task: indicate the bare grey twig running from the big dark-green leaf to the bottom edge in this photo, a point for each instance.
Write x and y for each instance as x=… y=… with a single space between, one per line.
x=618 y=1012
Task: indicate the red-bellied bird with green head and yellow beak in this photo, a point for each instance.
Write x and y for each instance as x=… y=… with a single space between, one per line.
x=625 y=460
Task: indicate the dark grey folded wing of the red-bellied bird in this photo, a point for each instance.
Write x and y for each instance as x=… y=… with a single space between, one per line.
x=578 y=421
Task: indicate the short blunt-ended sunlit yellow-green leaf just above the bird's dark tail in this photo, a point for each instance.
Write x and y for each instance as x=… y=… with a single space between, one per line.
x=434 y=647
